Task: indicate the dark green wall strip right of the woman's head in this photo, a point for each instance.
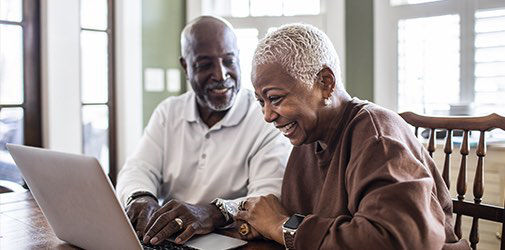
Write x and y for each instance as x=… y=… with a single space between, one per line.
x=359 y=48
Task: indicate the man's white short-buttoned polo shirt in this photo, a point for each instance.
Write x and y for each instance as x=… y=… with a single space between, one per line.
x=179 y=157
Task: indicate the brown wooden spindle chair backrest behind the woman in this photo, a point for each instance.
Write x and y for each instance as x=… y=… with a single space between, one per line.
x=476 y=209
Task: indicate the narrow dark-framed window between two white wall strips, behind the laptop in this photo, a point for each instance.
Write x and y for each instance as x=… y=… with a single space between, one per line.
x=97 y=82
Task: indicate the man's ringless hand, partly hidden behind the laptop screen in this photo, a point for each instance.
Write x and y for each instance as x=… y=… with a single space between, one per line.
x=139 y=212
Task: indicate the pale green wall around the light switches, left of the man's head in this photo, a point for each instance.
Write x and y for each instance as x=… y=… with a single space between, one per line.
x=162 y=23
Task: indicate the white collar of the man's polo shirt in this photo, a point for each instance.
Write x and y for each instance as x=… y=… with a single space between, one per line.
x=233 y=117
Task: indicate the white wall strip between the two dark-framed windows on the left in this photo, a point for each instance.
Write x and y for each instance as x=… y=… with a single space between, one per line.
x=60 y=75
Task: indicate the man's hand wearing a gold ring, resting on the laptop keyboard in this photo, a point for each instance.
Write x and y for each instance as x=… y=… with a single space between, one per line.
x=196 y=219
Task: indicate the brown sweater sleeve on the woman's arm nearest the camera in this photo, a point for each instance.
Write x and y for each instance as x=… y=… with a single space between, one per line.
x=392 y=203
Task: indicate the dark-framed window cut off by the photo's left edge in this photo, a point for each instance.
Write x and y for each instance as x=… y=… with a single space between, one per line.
x=20 y=114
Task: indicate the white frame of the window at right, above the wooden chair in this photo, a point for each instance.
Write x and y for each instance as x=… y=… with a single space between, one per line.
x=386 y=19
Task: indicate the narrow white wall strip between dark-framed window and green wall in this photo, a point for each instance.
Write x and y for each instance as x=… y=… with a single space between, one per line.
x=128 y=76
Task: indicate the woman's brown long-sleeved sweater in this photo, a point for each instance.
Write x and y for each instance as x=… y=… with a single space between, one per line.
x=373 y=187
